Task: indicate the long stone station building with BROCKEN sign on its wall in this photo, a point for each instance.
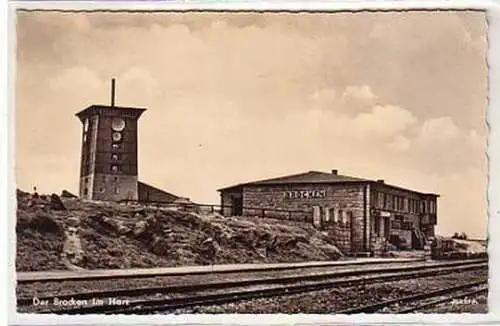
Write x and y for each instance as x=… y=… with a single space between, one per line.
x=363 y=214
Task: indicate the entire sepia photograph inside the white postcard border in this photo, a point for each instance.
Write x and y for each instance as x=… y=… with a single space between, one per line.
x=251 y=162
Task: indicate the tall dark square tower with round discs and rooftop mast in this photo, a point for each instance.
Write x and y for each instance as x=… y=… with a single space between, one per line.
x=108 y=168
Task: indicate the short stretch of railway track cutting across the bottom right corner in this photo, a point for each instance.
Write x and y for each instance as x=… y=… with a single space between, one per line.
x=421 y=301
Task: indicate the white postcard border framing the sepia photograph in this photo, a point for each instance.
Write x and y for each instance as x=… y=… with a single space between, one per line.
x=7 y=163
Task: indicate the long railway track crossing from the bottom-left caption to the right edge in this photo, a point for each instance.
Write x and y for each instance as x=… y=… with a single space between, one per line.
x=231 y=291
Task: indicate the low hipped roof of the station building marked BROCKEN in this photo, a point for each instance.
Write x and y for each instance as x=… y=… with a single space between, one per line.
x=315 y=177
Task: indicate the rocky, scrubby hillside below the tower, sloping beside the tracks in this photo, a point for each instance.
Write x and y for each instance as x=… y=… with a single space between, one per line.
x=65 y=233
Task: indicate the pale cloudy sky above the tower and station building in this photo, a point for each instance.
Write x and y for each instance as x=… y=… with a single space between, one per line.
x=234 y=97
